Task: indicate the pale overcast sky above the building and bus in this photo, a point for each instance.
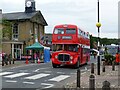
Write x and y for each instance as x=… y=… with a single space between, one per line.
x=82 y=13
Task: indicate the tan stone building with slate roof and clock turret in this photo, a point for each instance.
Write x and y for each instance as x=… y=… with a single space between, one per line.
x=26 y=27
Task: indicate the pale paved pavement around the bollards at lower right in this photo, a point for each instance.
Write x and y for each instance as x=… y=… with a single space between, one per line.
x=108 y=75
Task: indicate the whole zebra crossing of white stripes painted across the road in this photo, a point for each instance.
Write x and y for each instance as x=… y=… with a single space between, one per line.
x=37 y=76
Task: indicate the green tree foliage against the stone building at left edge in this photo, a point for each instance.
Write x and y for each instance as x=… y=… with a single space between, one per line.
x=7 y=29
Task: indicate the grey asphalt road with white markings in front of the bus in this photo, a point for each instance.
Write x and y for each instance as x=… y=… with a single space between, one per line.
x=40 y=76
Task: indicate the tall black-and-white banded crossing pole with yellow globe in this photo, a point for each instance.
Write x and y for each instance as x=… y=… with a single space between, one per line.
x=98 y=26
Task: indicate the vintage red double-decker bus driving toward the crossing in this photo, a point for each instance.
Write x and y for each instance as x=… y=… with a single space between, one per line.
x=71 y=46
